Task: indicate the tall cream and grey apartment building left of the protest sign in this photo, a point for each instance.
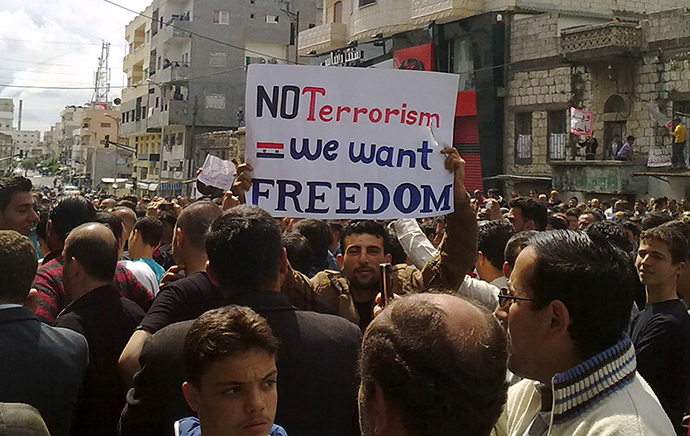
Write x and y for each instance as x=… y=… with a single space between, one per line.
x=194 y=77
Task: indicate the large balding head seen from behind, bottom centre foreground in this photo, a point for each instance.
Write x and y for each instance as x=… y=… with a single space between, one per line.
x=432 y=364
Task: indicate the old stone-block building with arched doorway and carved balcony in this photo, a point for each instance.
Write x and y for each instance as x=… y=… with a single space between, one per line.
x=624 y=70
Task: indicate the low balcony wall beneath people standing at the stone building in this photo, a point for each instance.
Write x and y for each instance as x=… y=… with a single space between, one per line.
x=600 y=177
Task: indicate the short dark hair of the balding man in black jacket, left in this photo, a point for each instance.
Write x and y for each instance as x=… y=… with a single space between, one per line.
x=96 y=255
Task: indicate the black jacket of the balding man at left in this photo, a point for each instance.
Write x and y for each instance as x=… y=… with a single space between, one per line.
x=107 y=321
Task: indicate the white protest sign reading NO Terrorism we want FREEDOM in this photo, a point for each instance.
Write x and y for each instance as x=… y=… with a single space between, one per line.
x=349 y=142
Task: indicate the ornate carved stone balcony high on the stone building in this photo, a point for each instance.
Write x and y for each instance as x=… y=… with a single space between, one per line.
x=601 y=42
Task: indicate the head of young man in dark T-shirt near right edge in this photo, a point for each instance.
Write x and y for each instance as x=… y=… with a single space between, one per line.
x=661 y=256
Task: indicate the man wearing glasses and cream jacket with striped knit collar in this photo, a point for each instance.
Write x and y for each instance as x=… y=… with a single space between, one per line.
x=566 y=312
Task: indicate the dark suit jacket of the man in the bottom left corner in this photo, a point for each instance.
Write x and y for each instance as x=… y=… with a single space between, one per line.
x=41 y=365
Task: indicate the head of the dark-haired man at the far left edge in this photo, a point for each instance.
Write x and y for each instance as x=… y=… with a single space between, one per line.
x=17 y=205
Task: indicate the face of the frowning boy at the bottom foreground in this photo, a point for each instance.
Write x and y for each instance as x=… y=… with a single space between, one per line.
x=237 y=395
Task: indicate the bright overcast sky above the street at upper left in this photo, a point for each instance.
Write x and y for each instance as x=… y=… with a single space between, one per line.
x=57 y=43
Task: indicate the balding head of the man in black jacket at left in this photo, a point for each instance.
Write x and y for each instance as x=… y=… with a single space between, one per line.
x=89 y=258
